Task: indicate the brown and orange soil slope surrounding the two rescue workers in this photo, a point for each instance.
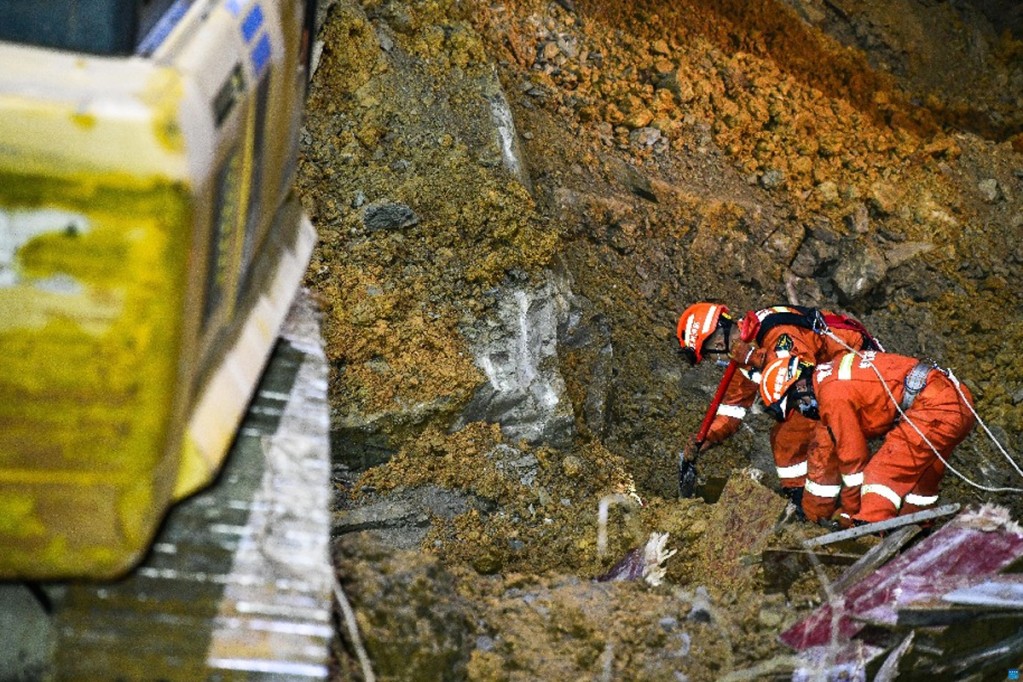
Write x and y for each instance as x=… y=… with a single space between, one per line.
x=675 y=152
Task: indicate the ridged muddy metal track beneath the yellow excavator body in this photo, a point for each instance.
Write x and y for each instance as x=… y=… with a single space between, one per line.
x=238 y=584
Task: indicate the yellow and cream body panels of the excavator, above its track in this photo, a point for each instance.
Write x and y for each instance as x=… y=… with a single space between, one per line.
x=150 y=249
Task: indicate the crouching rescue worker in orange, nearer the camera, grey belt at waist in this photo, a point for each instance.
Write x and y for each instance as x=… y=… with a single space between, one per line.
x=854 y=399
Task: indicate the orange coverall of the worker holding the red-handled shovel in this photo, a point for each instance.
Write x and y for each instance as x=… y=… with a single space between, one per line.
x=790 y=439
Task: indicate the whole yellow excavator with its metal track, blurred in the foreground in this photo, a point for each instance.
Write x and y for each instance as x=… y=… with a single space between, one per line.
x=152 y=250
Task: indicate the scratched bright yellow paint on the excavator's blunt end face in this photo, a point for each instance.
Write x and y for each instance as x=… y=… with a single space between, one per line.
x=88 y=372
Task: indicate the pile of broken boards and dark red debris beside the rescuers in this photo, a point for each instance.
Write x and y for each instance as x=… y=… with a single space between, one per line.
x=948 y=608
